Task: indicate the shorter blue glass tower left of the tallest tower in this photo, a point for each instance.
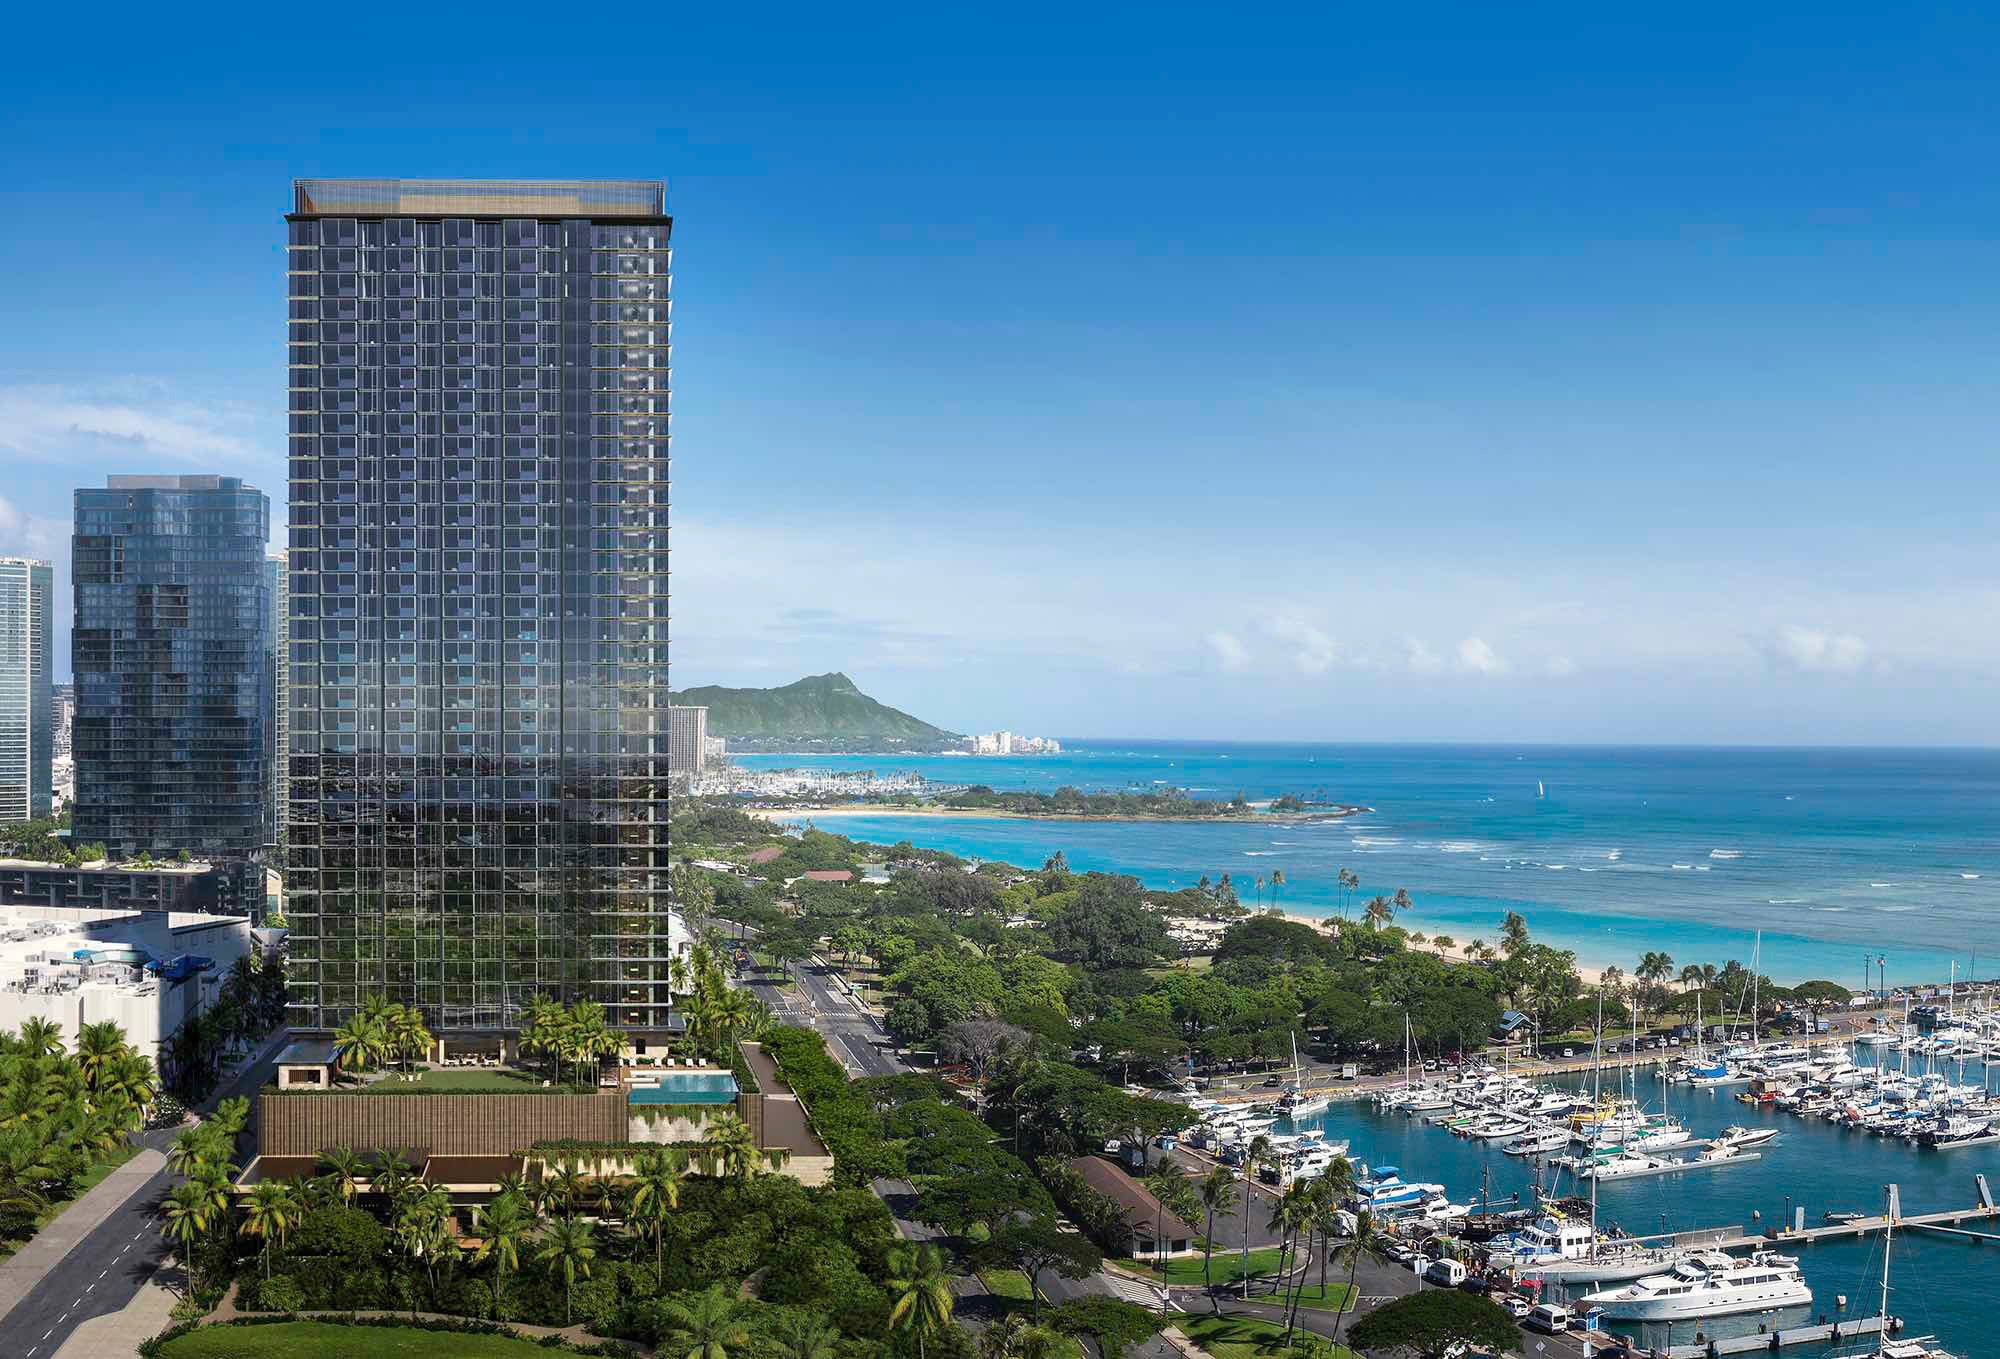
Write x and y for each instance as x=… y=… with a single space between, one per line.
x=173 y=704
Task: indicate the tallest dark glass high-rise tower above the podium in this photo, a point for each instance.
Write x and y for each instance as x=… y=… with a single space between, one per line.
x=479 y=728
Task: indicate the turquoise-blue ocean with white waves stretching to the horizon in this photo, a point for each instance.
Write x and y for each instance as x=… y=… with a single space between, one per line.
x=1839 y=856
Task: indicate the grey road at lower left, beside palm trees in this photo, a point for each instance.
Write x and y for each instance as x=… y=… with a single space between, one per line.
x=109 y=1266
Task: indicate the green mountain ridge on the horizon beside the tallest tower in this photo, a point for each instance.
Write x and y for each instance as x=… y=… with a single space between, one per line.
x=819 y=712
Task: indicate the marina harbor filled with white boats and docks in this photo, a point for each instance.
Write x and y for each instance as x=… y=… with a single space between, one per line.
x=1807 y=1200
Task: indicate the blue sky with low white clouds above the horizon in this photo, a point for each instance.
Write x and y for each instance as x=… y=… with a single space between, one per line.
x=1331 y=373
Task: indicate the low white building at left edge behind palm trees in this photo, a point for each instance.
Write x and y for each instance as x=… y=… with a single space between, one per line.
x=143 y=970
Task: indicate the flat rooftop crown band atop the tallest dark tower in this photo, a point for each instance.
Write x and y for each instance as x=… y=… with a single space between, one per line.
x=479 y=199
